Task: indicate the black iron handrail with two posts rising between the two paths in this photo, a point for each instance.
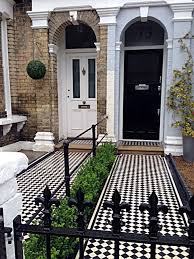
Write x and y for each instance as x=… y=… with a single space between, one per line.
x=93 y=151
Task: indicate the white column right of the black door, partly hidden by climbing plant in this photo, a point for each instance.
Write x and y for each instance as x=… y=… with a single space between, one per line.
x=182 y=21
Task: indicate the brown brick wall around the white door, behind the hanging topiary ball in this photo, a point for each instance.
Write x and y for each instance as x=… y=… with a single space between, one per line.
x=39 y=99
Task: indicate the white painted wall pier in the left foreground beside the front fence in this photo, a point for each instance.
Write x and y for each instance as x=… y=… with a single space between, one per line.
x=11 y=164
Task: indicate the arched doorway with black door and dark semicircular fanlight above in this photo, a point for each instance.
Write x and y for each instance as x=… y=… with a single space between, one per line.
x=143 y=63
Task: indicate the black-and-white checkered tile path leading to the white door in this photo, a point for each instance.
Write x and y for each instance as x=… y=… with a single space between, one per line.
x=49 y=172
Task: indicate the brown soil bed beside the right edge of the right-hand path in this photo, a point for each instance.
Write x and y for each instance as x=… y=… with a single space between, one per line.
x=187 y=171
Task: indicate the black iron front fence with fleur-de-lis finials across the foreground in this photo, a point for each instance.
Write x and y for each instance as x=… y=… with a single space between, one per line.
x=116 y=235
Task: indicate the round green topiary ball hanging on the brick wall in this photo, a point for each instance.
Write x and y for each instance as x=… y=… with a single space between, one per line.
x=36 y=69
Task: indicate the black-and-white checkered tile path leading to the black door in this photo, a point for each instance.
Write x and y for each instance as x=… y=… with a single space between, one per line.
x=135 y=177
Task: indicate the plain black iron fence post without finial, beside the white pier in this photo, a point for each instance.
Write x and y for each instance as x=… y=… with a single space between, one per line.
x=18 y=238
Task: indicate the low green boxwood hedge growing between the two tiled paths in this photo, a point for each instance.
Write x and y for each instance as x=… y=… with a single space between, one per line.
x=91 y=178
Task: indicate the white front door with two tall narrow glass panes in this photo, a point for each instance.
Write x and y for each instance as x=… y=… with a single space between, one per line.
x=81 y=93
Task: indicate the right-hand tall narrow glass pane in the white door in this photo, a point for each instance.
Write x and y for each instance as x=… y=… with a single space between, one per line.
x=91 y=78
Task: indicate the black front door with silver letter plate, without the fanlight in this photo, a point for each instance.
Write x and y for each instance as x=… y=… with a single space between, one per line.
x=142 y=88
